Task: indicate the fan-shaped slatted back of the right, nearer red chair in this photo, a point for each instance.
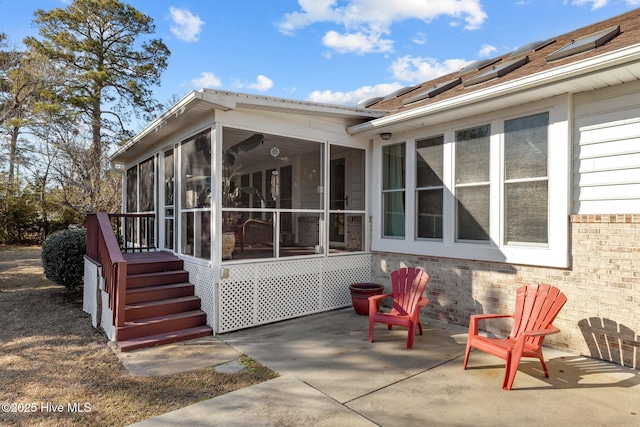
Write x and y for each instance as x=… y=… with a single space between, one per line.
x=536 y=308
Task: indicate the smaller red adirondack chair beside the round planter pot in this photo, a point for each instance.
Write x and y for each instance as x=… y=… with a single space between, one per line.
x=408 y=286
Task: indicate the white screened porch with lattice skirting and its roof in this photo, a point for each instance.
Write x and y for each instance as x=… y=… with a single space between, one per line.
x=263 y=199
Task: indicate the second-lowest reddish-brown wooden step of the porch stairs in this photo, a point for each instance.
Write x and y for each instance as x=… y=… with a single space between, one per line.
x=161 y=324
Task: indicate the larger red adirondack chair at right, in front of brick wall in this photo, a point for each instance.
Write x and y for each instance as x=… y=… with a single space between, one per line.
x=536 y=308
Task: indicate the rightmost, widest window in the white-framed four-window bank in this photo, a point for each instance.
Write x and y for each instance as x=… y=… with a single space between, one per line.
x=525 y=185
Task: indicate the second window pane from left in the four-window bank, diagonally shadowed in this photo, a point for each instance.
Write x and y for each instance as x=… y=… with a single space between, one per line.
x=429 y=187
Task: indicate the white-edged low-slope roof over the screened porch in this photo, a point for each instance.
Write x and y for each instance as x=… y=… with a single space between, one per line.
x=197 y=103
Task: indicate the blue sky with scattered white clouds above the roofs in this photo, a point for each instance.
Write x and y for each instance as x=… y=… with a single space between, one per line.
x=335 y=51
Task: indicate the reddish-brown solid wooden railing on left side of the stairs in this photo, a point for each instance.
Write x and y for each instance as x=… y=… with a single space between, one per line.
x=102 y=246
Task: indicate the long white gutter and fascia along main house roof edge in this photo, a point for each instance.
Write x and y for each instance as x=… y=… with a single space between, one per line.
x=556 y=75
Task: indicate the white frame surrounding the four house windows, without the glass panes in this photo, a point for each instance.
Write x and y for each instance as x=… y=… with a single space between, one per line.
x=554 y=254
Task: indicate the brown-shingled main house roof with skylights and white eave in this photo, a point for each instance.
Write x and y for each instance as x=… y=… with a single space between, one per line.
x=538 y=77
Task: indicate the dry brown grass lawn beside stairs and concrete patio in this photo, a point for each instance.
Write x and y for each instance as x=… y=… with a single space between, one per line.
x=50 y=355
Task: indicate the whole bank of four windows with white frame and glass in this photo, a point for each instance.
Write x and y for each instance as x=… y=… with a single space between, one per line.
x=488 y=190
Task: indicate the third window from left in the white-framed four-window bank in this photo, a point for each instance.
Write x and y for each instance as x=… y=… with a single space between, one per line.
x=472 y=183
